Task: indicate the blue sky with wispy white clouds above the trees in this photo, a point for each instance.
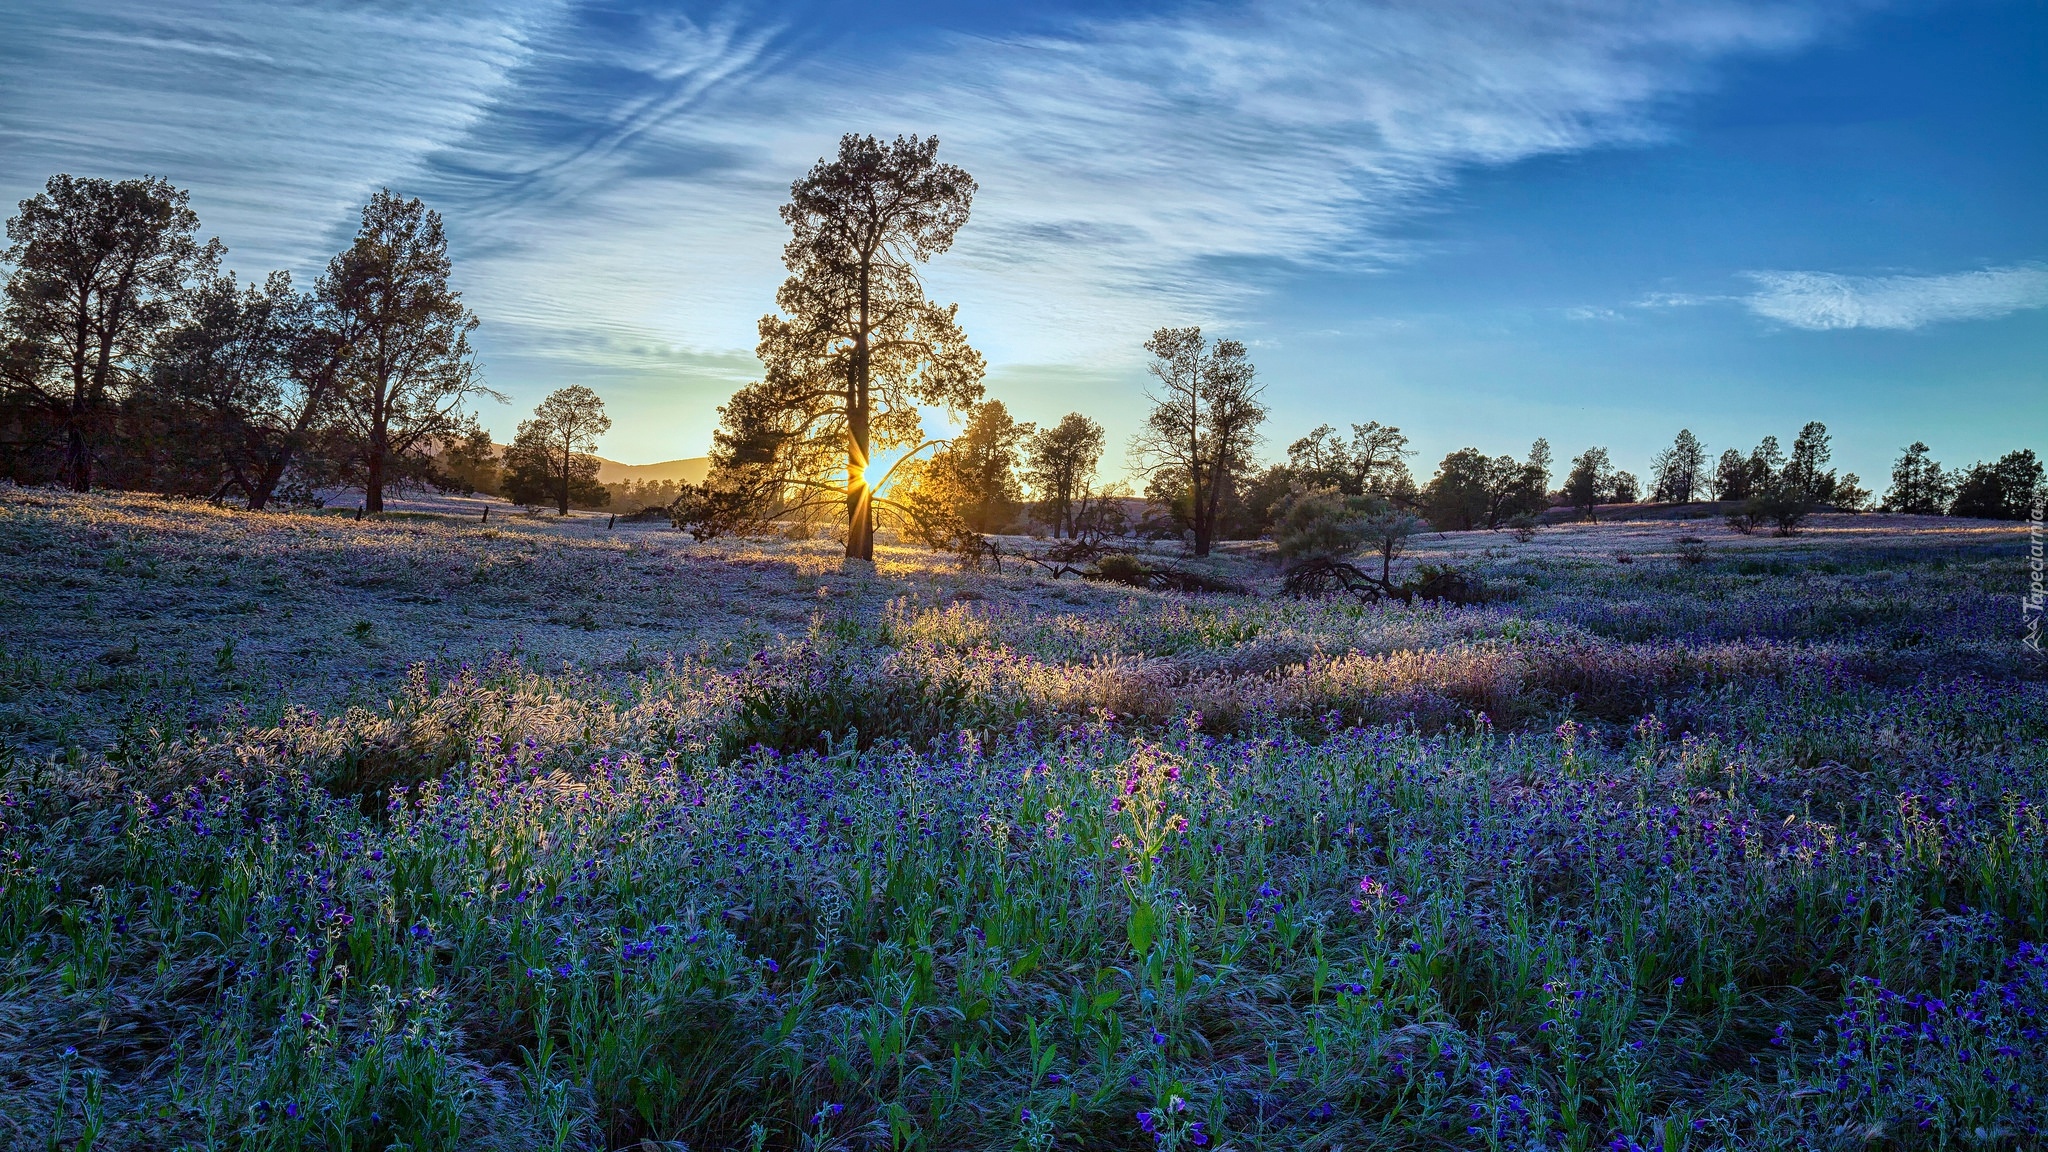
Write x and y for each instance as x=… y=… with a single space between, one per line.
x=1480 y=220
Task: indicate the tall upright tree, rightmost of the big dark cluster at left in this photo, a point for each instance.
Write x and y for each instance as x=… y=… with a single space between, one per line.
x=407 y=366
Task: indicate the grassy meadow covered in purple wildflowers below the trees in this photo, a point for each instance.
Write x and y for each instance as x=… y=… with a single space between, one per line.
x=437 y=835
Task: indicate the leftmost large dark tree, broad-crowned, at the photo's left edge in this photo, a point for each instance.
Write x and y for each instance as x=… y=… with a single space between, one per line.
x=101 y=268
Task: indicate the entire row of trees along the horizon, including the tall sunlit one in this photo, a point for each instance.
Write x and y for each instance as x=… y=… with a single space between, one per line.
x=130 y=360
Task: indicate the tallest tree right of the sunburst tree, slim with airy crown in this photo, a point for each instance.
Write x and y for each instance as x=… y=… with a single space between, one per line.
x=1203 y=425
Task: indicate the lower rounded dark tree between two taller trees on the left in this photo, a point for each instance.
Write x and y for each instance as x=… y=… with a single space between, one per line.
x=245 y=384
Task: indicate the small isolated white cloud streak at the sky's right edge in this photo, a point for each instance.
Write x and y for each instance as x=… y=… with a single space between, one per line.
x=1828 y=300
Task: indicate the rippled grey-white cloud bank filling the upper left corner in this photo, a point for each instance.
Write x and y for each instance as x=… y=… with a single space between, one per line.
x=280 y=118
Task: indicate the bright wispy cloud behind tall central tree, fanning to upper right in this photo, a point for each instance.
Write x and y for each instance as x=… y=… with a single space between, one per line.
x=1134 y=173
